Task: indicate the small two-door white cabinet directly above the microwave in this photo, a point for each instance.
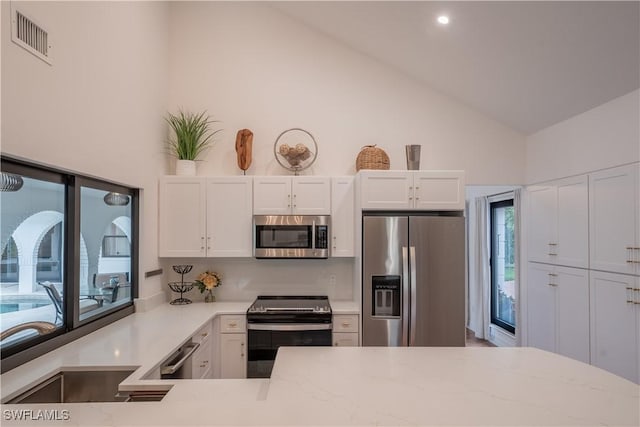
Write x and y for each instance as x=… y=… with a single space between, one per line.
x=284 y=195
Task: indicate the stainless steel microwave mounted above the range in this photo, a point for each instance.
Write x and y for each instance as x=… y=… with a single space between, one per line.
x=291 y=236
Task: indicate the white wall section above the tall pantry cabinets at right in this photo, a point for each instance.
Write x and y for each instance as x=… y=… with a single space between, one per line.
x=606 y=136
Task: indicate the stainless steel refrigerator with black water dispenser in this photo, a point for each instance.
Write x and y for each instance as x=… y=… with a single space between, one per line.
x=413 y=280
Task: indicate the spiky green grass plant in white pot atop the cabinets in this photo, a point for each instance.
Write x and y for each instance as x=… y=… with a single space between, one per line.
x=192 y=136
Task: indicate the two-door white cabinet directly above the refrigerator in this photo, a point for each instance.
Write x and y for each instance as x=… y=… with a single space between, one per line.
x=419 y=190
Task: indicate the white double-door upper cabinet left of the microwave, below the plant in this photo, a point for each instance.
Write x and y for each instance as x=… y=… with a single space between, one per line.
x=205 y=217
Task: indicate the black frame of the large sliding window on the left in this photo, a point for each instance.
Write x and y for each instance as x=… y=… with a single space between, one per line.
x=72 y=327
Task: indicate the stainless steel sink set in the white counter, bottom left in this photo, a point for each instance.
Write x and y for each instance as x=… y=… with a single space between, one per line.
x=70 y=386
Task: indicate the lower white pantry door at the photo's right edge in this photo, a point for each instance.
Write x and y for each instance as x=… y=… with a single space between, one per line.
x=615 y=313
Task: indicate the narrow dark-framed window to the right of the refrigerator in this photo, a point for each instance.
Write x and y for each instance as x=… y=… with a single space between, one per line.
x=503 y=298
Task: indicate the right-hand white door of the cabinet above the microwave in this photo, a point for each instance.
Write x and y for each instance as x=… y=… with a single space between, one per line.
x=311 y=195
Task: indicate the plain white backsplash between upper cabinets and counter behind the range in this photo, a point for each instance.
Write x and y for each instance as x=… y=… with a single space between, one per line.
x=244 y=279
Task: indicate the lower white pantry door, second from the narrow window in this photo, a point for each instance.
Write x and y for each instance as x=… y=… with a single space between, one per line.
x=572 y=313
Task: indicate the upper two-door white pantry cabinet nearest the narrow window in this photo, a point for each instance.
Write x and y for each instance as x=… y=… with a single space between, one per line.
x=558 y=222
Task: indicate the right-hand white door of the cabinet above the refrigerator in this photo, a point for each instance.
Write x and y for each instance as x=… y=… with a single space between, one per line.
x=439 y=190
